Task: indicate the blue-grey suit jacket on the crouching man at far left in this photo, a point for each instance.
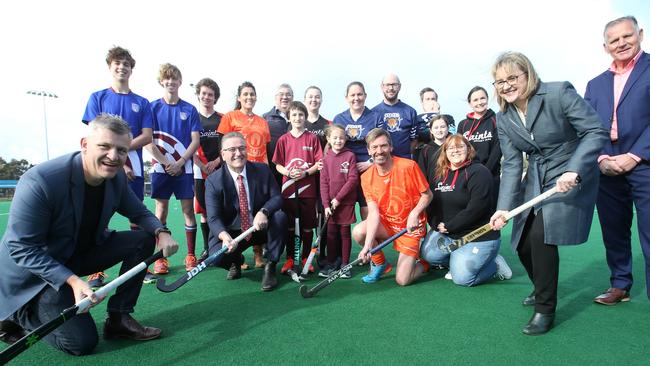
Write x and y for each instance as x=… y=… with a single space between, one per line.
x=44 y=223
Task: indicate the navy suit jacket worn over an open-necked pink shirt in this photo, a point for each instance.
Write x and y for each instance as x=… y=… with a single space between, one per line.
x=633 y=112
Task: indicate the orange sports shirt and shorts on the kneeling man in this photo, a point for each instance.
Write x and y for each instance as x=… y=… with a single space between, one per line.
x=396 y=194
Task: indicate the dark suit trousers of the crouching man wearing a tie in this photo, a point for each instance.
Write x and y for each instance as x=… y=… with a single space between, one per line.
x=273 y=236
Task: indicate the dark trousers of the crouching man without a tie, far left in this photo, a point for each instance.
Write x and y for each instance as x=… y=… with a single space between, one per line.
x=78 y=335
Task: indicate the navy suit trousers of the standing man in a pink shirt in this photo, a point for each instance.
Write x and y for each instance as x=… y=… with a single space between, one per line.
x=616 y=197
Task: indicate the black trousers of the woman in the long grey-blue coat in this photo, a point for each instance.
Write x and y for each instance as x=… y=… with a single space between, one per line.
x=541 y=261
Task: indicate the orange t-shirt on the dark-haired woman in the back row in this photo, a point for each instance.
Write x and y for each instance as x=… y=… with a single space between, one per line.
x=255 y=130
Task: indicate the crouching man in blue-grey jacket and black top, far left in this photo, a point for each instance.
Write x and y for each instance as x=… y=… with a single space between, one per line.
x=57 y=232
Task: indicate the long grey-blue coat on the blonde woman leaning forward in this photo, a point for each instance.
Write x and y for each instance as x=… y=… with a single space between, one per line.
x=562 y=133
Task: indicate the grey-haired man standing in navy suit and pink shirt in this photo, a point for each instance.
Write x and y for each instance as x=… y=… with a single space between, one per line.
x=621 y=96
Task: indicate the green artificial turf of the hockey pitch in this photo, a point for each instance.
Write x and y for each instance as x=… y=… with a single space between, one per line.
x=212 y=321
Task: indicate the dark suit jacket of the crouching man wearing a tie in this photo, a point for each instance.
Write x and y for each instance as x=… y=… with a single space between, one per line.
x=222 y=200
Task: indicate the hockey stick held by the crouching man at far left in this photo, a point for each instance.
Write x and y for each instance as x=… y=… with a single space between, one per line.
x=37 y=334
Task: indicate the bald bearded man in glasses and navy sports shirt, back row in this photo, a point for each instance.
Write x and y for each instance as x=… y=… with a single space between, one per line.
x=399 y=118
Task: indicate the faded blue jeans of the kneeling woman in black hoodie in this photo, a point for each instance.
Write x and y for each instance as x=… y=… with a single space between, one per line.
x=470 y=265
